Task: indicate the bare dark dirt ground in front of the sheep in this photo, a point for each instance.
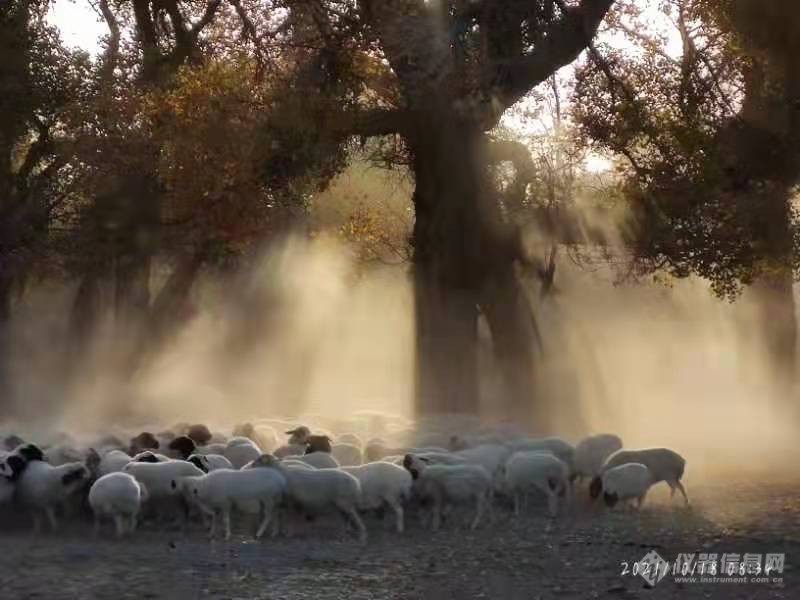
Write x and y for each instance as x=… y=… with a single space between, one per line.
x=577 y=556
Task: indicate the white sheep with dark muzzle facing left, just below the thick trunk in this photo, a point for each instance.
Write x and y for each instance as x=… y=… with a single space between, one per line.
x=446 y=485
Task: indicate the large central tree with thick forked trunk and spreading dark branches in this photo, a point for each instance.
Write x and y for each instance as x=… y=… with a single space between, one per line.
x=455 y=69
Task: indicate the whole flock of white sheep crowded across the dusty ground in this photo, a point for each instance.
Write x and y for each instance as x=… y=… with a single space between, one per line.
x=188 y=473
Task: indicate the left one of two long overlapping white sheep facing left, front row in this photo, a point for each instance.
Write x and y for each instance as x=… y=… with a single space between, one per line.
x=222 y=490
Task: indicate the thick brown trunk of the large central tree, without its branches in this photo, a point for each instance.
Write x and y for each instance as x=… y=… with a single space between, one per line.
x=461 y=262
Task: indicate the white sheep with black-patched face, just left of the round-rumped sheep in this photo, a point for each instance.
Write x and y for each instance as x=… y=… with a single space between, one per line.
x=42 y=487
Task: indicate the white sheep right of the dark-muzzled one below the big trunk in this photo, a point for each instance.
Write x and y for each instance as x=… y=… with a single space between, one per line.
x=537 y=469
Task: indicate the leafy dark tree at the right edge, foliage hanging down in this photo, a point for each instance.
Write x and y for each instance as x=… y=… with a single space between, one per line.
x=710 y=147
